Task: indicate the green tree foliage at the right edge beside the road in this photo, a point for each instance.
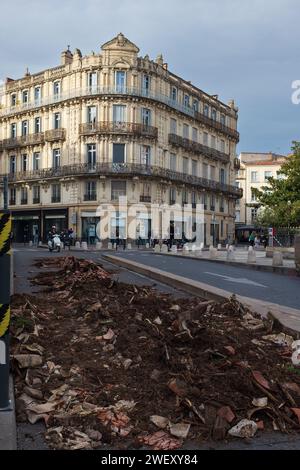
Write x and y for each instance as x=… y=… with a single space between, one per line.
x=280 y=199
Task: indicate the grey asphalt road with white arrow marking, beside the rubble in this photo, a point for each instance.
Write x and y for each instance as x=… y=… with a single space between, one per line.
x=271 y=287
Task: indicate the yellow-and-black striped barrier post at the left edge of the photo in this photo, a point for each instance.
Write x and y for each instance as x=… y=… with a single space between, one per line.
x=5 y=231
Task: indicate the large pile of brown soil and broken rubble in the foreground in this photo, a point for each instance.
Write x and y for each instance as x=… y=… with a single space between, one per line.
x=103 y=363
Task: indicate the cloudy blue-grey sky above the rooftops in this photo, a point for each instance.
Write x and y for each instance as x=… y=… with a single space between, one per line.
x=248 y=50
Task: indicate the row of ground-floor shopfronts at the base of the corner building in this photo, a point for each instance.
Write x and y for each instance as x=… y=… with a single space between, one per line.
x=138 y=227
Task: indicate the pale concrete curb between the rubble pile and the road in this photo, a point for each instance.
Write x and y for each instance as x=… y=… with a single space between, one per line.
x=288 y=318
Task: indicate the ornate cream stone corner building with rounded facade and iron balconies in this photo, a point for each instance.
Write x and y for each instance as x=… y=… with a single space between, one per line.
x=113 y=124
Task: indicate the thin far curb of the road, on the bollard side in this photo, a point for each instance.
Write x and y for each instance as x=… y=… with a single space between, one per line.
x=257 y=267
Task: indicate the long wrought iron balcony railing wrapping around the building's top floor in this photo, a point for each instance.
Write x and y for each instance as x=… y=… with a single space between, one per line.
x=122 y=91
